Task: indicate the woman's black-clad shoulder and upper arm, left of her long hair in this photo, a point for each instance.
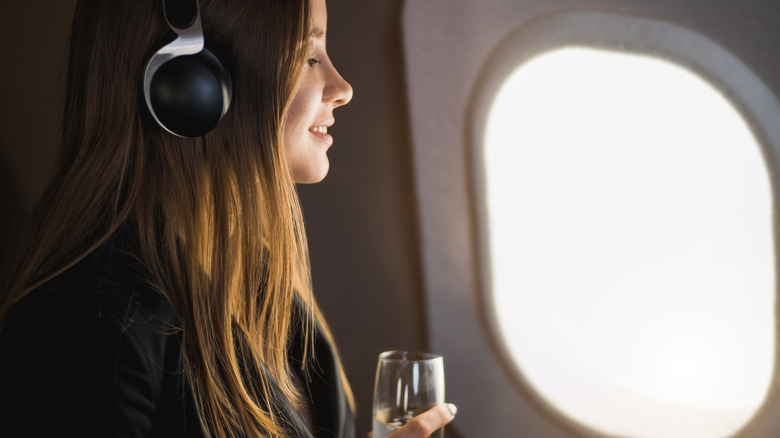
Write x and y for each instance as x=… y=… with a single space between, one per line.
x=98 y=331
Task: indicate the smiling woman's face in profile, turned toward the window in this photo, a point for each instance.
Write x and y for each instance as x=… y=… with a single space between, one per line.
x=322 y=89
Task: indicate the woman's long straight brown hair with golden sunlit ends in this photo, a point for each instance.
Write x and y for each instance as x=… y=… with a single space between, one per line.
x=216 y=218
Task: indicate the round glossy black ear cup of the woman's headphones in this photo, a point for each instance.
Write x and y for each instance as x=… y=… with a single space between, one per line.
x=190 y=94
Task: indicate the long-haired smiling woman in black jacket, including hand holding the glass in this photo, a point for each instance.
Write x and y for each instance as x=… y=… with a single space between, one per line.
x=162 y=287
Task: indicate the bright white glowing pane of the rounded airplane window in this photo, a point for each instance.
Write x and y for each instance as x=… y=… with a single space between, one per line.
x=630 y=220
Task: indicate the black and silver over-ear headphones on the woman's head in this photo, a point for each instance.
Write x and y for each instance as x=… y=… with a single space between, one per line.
x=186 y=87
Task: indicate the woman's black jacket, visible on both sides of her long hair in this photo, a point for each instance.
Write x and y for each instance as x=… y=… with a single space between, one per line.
x=97 y=352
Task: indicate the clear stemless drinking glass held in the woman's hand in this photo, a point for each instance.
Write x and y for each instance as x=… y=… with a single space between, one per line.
x=407 y=384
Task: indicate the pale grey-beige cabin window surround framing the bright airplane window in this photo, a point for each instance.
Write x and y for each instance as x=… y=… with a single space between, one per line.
x=451 y=205
